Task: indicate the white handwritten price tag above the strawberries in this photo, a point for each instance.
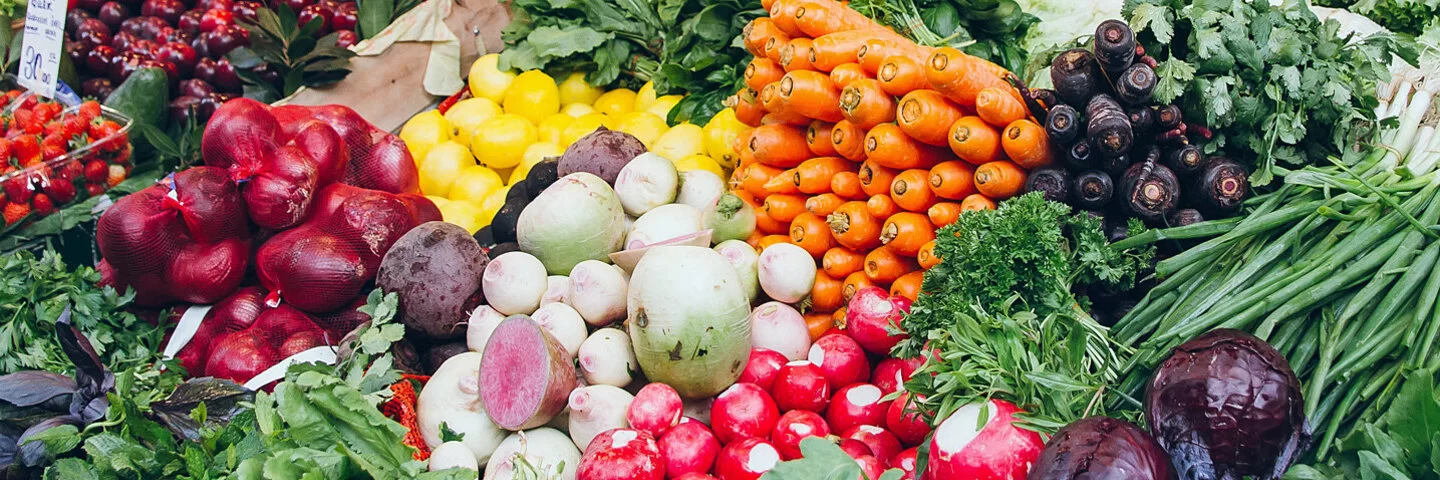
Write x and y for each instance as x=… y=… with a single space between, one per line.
x=42 y=48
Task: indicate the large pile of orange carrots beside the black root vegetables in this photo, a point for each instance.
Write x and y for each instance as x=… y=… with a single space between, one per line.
x=865 y=143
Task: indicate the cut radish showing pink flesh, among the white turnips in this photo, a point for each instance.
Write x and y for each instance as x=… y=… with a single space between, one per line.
x=526 y=377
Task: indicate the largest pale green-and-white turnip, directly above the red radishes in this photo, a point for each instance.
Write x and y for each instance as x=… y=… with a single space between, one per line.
x=688 y=321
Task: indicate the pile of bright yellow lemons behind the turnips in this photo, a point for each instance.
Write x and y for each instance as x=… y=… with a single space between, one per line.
x=470 y=156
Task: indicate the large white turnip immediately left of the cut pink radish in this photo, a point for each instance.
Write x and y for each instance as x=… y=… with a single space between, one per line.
x=453 y=399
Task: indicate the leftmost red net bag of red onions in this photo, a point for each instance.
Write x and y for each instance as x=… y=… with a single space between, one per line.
x=182 y=240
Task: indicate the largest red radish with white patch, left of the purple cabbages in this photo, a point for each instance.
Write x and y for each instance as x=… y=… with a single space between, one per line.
x=997 y=450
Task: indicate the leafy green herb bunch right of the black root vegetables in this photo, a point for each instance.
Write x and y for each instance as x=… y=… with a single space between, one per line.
x=1278 y=89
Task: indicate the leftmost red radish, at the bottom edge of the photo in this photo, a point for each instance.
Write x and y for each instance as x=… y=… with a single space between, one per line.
x=623 y=453
